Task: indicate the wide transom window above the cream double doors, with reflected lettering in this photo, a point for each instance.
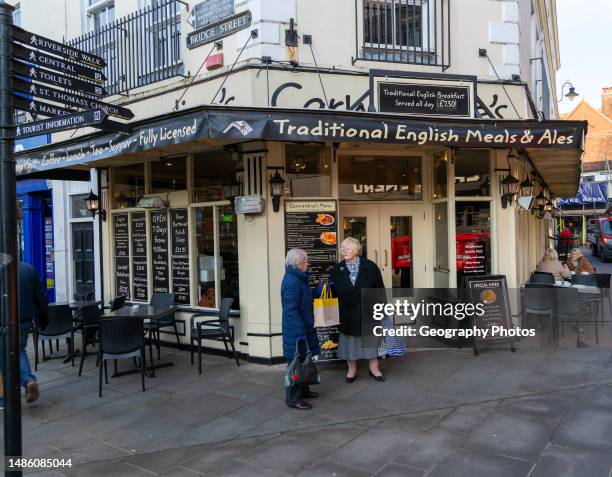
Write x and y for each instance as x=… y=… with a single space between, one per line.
x=380 y=178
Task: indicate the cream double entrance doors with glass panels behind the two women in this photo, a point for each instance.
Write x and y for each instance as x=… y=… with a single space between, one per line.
x=393 y=236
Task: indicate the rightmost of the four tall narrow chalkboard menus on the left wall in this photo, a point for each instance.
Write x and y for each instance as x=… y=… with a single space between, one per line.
x=180 y=256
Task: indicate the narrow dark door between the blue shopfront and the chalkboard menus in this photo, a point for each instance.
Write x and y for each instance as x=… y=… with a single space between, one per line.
x=83 y=259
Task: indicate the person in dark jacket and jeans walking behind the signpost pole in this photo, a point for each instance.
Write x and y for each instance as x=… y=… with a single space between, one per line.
x=33 y=307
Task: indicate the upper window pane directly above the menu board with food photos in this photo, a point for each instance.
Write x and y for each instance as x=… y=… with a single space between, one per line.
x=308 y=169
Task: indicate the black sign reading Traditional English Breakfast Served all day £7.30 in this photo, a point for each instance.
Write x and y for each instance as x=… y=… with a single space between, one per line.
x=424 y=100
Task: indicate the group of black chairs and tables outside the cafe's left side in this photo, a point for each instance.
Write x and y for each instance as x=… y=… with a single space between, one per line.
x=126 y=332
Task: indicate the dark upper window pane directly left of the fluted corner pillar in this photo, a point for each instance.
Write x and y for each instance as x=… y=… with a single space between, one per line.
x=210 y=171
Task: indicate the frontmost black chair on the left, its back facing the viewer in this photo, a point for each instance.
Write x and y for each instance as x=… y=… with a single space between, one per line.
x=120 y=338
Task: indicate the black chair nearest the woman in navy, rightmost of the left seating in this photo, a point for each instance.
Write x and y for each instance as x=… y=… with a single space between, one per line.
x=217 y=330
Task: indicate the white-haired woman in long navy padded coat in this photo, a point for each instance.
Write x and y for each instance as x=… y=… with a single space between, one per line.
x=298 y=320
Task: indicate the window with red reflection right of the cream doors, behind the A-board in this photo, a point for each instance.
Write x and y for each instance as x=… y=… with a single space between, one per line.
x=473 y=236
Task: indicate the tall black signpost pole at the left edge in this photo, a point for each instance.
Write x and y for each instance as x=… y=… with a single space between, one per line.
x=8 y=246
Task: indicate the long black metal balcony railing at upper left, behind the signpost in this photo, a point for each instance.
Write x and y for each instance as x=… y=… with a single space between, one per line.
x=139 y=49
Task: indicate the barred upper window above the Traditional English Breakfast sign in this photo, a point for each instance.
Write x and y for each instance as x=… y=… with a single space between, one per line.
x=404 y=31
